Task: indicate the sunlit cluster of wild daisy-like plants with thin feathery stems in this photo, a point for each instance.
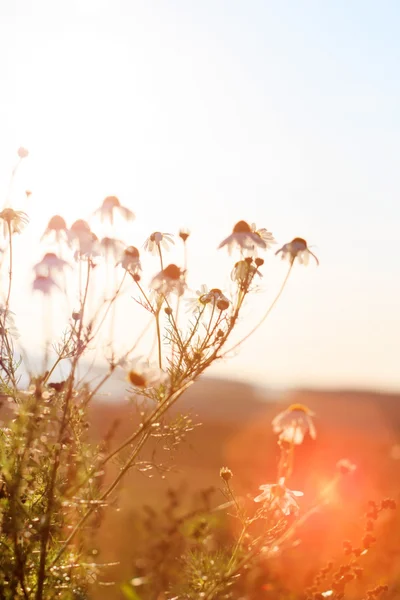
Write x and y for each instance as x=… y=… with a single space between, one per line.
x=54 y=482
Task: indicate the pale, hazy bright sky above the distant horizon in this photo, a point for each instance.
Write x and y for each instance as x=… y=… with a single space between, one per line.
x=201 y=114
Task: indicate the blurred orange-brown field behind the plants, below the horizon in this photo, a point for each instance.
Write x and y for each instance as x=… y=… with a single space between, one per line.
x=235 y=430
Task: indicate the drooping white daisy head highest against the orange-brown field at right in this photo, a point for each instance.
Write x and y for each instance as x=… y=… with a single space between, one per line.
x=293 y=423
